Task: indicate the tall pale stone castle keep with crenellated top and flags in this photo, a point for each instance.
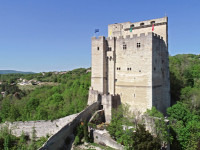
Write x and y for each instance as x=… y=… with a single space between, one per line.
x=131 y=65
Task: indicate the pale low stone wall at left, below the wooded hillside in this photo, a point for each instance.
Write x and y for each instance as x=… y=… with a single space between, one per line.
x=41 y=127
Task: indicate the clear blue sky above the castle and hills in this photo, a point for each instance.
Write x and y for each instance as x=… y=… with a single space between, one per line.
x=55 y=35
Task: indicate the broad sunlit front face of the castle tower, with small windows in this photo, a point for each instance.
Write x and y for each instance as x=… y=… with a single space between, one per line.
x=134 y=78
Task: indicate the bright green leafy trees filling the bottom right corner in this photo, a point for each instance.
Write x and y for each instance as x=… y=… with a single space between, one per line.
x=185 y=127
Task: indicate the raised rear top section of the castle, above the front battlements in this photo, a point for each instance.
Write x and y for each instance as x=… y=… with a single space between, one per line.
x=158 y=26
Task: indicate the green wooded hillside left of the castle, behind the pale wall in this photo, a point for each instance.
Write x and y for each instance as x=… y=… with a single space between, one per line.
x=45 y=102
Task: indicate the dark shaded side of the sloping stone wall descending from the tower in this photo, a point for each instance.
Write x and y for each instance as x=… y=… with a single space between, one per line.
x=62 y=139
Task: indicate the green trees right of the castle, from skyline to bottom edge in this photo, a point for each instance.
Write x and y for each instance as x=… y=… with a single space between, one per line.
x=184 y=116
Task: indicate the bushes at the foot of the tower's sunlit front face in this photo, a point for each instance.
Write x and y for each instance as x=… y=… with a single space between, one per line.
x=138 y=138
